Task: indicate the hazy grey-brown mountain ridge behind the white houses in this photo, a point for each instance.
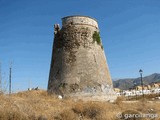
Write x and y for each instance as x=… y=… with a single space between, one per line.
x=131 y=82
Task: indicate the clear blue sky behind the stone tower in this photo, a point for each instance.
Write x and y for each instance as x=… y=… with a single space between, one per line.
x=129 y=29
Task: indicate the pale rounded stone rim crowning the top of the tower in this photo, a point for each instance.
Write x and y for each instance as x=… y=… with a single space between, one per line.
x=79 y=20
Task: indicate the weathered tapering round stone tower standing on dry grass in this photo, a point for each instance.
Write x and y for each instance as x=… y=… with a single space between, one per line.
x=78 y=66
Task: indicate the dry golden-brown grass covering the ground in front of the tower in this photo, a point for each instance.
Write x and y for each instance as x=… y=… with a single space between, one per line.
x=38 y=105
